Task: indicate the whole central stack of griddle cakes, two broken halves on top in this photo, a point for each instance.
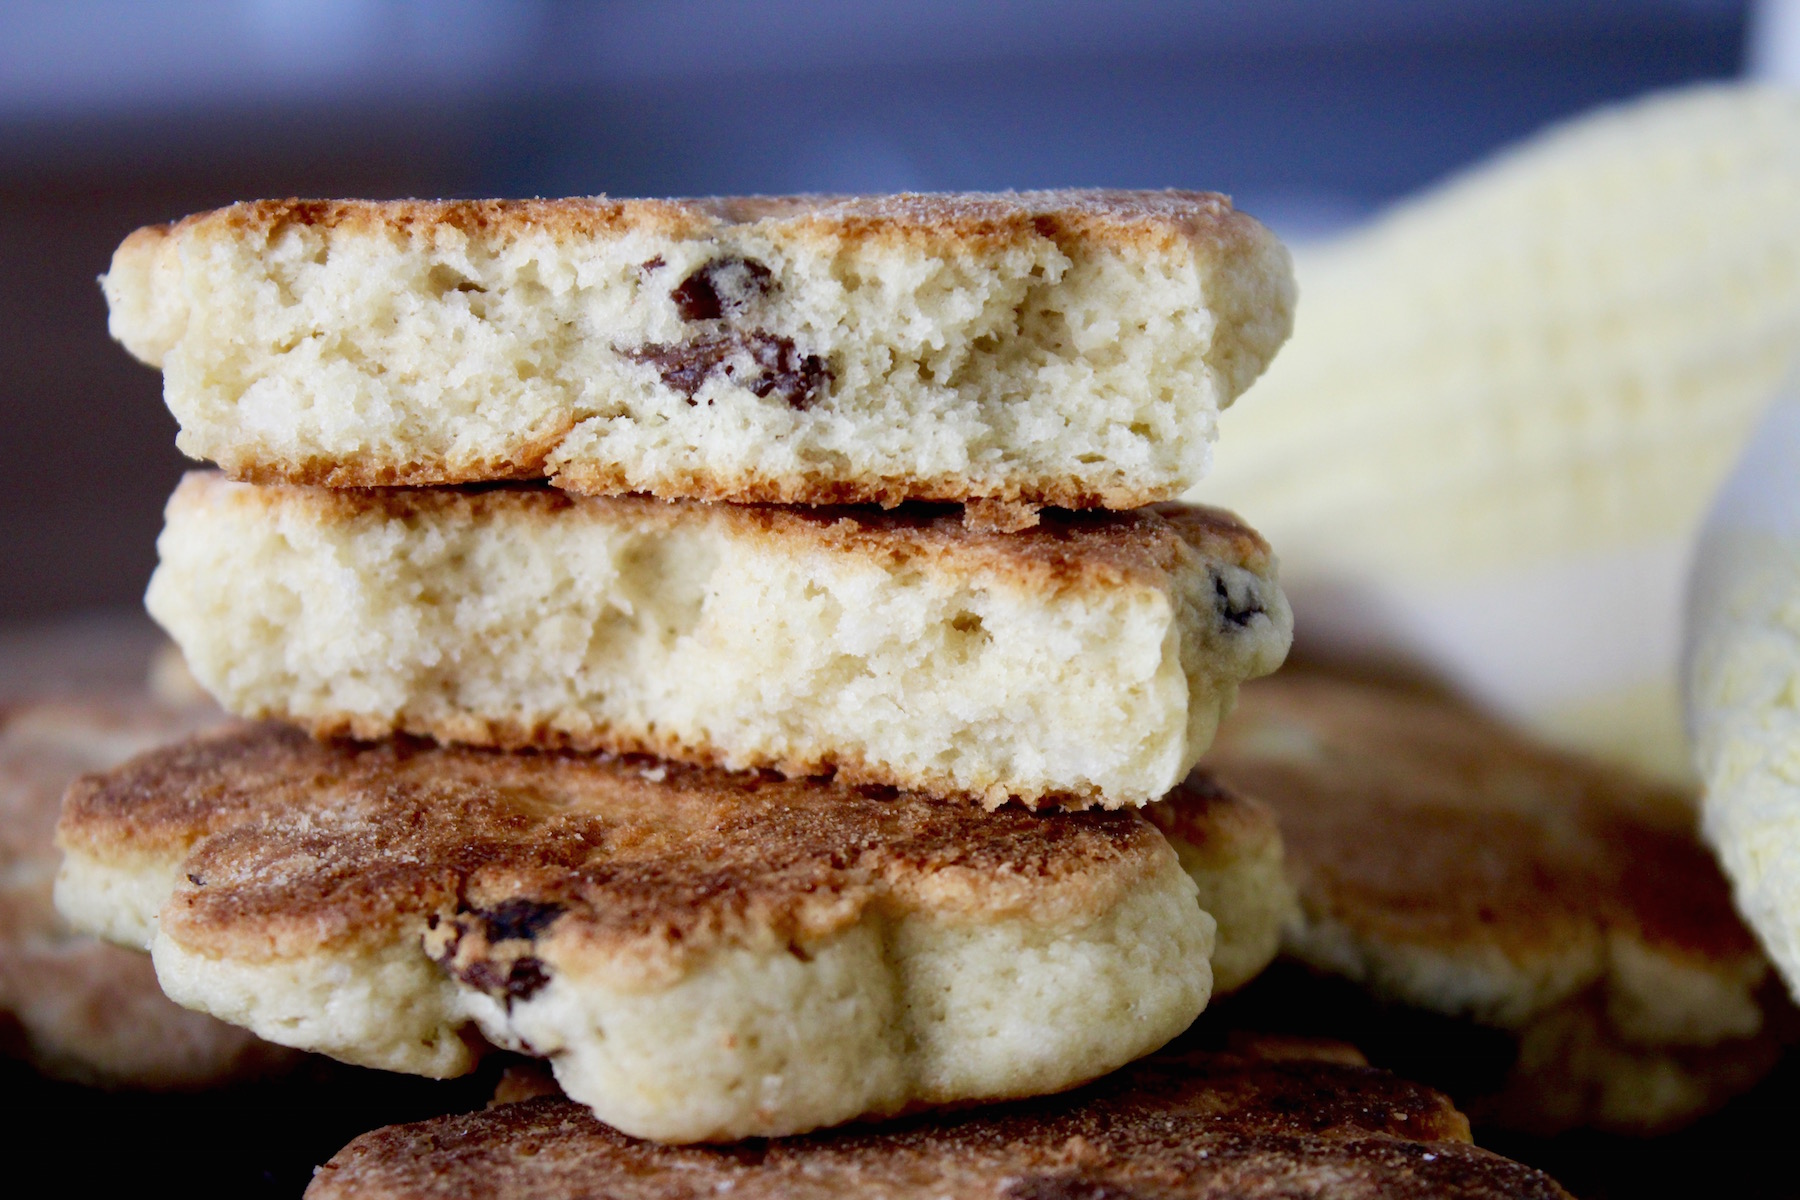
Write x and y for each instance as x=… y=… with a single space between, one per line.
x=744 y=654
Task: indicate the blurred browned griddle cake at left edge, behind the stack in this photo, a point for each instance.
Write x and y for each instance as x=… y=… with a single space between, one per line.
x=73 y=1007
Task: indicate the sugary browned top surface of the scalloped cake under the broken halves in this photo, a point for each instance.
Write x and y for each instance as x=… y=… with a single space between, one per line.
x=287 y=845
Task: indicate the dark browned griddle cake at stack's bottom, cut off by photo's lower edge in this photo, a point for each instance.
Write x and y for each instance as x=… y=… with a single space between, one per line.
x=1182 y=1124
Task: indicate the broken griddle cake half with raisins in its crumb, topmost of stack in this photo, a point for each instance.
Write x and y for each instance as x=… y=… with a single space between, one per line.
x=1043 y=348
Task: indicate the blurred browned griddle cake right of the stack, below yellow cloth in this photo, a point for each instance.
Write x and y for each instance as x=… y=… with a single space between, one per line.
x=1450 y=864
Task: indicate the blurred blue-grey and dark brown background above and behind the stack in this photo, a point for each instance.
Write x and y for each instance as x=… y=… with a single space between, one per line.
x=114 y=114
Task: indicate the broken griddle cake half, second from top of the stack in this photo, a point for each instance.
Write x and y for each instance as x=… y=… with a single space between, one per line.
x=1083 y=661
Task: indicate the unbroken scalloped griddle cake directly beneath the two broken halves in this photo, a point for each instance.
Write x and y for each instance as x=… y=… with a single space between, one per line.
x=701 y=956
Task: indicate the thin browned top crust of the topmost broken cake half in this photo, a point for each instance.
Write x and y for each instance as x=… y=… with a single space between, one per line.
x=969 y=222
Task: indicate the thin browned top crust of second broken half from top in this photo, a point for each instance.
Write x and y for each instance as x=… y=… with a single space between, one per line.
x=1093 y=548
